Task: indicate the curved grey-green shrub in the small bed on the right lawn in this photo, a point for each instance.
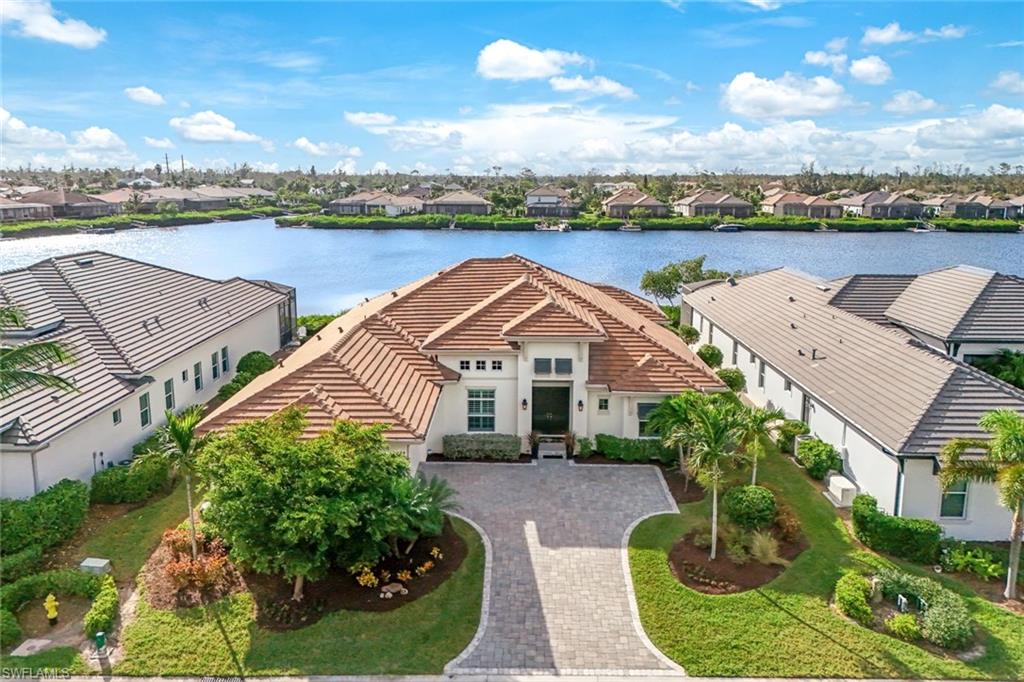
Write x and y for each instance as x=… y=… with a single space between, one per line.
x=947 y=621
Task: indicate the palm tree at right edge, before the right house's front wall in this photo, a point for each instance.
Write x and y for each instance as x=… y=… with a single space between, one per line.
x=1000 y=461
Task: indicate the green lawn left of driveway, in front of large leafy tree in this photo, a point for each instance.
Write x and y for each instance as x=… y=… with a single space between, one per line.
x=224 y=641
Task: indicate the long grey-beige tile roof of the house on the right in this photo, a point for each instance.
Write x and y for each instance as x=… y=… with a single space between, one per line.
x=889 y=386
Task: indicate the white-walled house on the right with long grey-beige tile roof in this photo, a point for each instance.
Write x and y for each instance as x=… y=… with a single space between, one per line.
x=887 y=402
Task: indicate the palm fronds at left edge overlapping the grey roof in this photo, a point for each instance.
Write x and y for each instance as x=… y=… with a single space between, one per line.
x=23 y=366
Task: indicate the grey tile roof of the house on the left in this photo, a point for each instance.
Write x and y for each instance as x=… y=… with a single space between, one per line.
x=121 y=319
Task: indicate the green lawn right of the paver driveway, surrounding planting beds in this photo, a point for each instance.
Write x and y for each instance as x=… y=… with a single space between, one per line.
x=787 y=628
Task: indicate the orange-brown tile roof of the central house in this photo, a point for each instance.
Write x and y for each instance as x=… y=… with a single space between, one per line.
x=375 y=363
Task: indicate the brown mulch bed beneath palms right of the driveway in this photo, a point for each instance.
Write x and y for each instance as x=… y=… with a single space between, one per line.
x=692 y=567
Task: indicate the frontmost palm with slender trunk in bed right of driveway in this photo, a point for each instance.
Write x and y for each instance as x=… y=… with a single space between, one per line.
x=713 y=439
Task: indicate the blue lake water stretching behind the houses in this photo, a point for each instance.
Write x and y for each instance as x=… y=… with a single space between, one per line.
x=332 y=270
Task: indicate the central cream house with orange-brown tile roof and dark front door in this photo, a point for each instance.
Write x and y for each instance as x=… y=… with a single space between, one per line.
x=489 y=346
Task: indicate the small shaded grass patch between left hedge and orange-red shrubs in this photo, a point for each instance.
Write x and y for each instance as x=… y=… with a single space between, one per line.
x=129 y=541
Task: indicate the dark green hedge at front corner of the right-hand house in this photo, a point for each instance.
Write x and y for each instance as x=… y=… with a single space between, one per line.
x=914 y=539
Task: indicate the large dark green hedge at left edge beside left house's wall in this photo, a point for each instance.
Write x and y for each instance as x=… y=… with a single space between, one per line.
x=46 y=520
